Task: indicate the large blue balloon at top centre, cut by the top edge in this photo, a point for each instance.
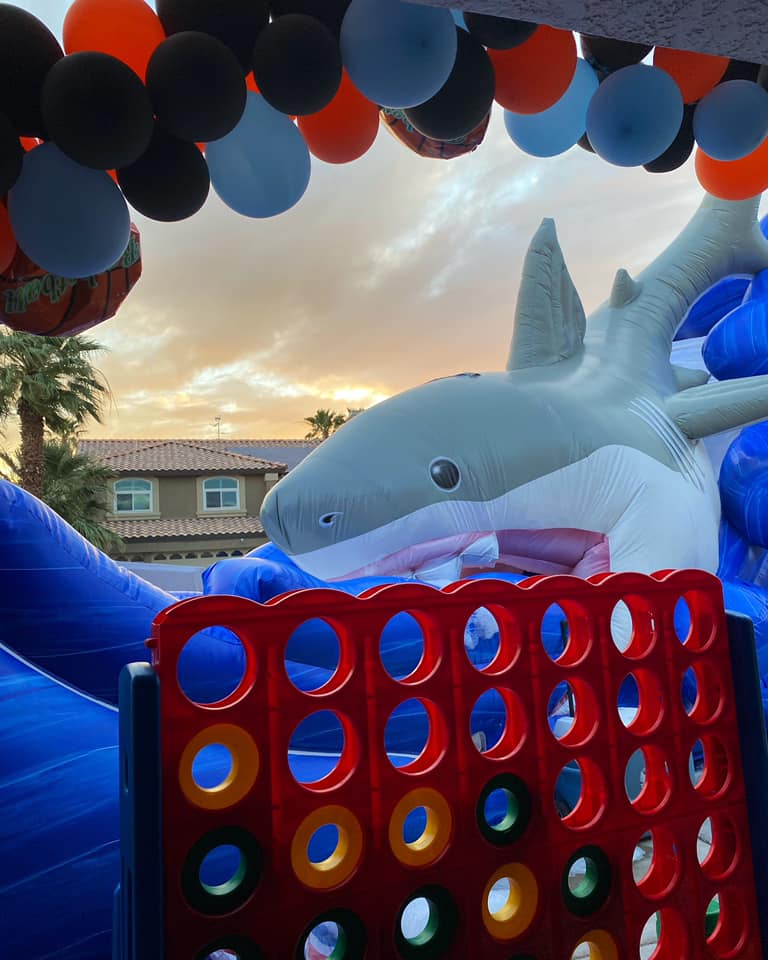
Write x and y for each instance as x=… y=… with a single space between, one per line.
x=398 y=54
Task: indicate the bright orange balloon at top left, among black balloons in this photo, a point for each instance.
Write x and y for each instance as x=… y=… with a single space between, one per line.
x=129 y=30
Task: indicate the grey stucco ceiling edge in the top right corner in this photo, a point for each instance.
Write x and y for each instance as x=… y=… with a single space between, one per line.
x=732 y=28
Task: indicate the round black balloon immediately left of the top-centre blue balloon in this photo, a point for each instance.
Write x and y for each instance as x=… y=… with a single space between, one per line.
x=297 y=64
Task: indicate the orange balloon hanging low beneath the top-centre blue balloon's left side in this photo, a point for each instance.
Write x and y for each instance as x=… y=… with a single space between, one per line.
x=345 y=129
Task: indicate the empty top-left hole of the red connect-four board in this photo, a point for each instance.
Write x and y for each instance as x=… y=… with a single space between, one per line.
x=229 y=682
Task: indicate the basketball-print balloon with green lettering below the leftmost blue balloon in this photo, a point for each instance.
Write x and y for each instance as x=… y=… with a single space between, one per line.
x=33 y=301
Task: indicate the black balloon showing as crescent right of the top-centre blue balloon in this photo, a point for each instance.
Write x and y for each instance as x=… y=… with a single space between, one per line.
x=465 y=98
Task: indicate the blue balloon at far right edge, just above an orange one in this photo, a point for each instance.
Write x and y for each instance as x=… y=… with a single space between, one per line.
x=732 y=120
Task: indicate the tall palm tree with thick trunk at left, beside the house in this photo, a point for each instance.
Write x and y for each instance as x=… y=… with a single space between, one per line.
x=48 y=383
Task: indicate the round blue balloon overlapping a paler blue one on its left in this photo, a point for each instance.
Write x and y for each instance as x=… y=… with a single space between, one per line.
x=634 y=115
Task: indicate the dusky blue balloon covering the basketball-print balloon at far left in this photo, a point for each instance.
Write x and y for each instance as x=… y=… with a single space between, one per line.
x=70 y=220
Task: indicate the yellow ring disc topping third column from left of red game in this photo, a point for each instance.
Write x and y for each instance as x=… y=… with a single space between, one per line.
x=421 y=827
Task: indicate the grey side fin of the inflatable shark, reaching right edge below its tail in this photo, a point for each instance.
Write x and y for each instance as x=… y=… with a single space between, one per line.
x=703 y=411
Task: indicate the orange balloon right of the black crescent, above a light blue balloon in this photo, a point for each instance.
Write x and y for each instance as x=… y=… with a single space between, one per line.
x=532 y=77
